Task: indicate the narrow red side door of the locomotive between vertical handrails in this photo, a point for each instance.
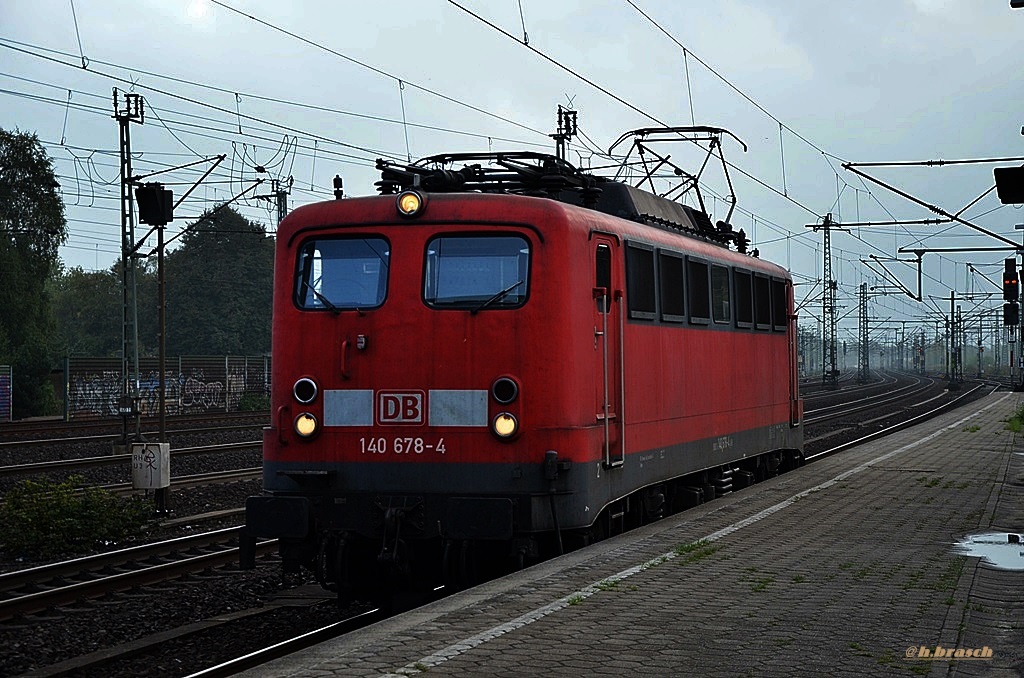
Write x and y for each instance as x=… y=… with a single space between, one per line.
x=609 y=325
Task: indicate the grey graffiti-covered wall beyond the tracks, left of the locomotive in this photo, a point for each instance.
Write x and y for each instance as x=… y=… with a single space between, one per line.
x=194 y=385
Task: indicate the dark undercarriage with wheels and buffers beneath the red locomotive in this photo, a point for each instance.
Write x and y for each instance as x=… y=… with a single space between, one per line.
x=410 y=545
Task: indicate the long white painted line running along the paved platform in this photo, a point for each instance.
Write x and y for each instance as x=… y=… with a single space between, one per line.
x=455 y=650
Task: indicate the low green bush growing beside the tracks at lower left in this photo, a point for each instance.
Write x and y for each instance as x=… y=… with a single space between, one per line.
x=41 y=520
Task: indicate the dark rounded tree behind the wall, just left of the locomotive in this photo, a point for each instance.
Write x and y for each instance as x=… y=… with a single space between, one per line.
x=220 y=288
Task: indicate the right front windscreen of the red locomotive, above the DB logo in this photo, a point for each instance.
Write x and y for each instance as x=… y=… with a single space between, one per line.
x=477 y=272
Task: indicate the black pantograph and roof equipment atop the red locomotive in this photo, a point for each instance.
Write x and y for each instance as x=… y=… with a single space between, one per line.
x=544 y=176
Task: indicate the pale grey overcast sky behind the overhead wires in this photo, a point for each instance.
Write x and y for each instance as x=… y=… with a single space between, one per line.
x=806 y=86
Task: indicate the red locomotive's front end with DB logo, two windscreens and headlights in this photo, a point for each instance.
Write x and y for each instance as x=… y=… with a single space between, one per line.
x=413 y=401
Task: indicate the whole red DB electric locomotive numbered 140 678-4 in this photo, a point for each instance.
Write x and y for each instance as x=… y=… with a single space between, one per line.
x=489 y=364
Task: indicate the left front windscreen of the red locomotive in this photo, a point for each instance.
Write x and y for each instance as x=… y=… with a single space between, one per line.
x=338 y=274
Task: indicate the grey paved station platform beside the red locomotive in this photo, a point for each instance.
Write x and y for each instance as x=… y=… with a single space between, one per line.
x=844 y=568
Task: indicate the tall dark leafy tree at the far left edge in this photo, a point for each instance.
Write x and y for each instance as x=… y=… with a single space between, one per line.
x=32 y=230
